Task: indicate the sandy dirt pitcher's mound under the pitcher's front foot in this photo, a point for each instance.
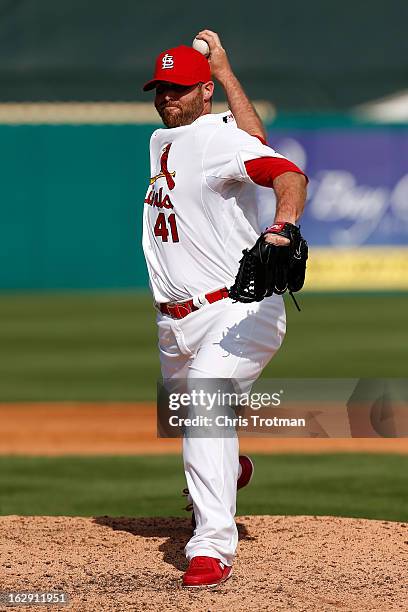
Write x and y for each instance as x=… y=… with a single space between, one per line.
x=296 y=564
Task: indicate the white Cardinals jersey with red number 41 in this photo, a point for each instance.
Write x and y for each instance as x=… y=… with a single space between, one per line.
x=201 y=207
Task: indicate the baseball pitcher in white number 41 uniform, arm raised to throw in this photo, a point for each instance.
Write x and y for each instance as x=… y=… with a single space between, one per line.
x=220 y=313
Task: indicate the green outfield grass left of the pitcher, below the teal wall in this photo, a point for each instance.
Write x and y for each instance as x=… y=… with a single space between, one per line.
x=87 y=346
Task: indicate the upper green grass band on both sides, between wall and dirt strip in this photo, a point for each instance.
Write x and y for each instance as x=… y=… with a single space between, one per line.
x=103 y=346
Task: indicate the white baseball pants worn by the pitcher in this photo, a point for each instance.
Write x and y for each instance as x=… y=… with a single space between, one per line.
x=220 y=340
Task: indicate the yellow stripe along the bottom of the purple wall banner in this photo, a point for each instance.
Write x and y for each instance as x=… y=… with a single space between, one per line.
x=364 y=268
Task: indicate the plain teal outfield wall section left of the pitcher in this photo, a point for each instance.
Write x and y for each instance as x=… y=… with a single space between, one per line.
x=71 y=206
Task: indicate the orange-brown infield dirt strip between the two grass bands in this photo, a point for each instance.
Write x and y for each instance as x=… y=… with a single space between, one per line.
x=130 y=429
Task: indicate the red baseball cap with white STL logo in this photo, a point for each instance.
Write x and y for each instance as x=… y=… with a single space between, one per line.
x=181 y=65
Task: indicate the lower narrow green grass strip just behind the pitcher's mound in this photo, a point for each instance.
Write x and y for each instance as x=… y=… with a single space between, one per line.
x=355 y=485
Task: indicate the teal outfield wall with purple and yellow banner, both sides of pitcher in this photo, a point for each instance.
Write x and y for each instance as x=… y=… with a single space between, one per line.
x=72 y=195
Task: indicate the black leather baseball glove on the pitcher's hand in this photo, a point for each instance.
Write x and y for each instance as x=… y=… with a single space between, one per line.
x=267 y=268
